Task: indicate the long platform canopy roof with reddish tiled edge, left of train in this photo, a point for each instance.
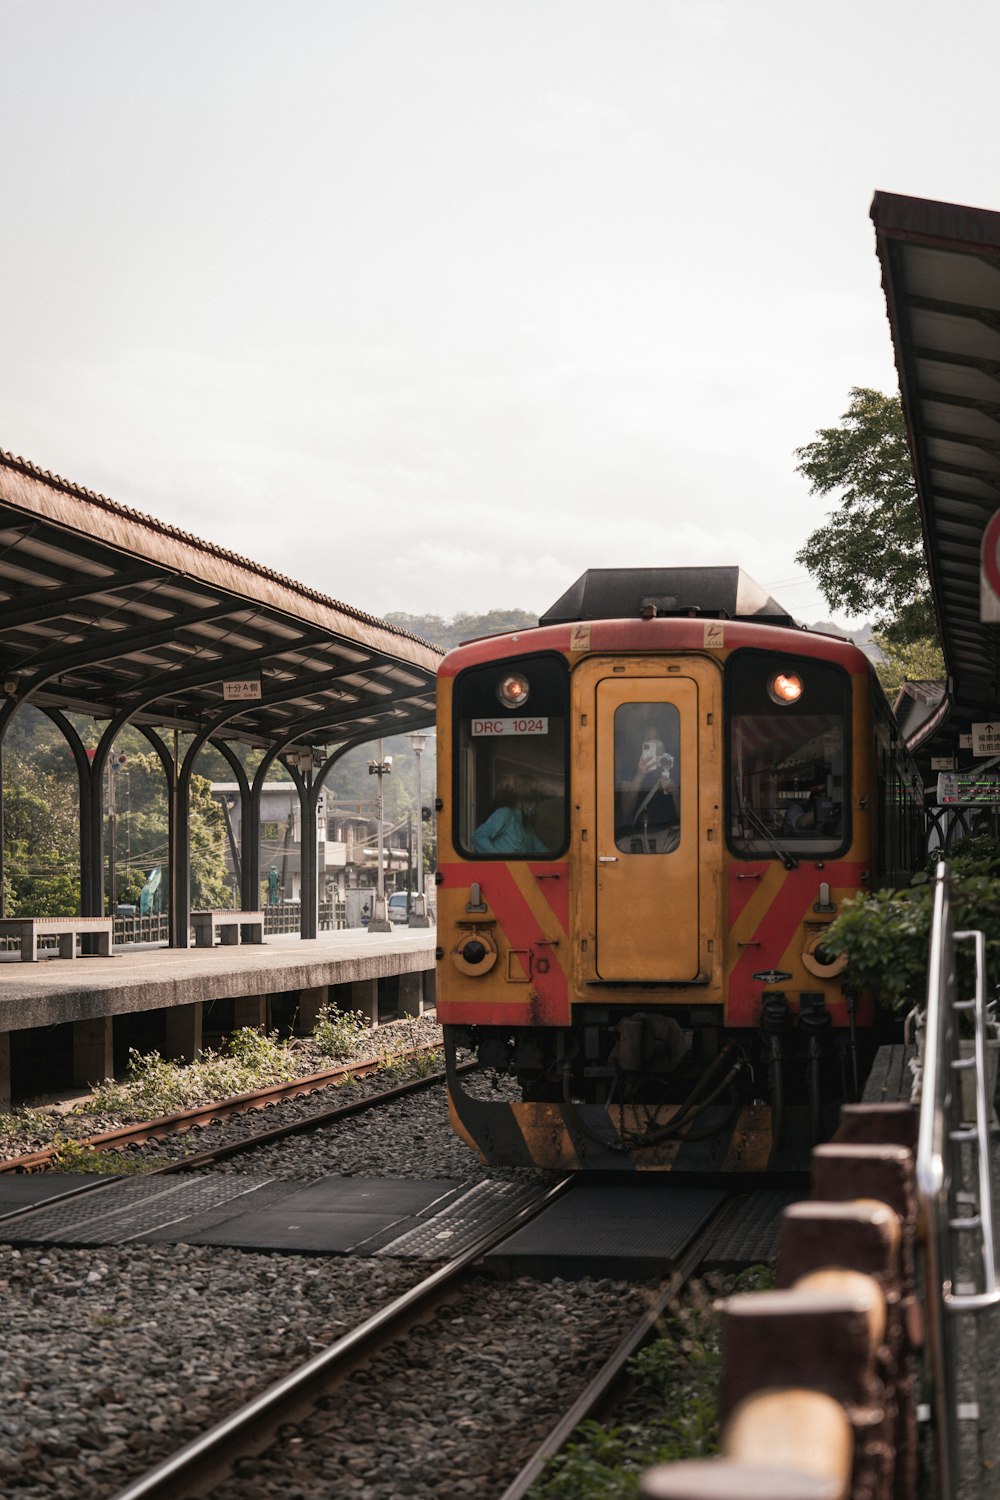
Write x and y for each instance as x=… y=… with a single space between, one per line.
x=107 y=611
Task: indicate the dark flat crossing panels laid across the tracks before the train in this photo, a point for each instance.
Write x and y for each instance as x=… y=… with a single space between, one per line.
x=602 y=1229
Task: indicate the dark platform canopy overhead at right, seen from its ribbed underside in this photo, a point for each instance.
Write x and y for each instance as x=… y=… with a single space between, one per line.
x=941 y=272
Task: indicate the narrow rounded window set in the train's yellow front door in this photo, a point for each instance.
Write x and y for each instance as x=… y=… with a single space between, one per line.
x=647 y=778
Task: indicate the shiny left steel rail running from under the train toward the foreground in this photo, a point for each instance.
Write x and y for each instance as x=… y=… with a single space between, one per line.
x=206 y=1459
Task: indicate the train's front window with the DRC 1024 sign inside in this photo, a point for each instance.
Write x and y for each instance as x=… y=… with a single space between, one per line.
x=512 y=760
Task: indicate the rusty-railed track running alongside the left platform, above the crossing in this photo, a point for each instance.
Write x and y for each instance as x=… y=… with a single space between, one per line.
x=203 y=1115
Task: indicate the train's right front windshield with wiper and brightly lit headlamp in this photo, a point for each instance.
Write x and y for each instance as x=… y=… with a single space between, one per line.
x=788 y=755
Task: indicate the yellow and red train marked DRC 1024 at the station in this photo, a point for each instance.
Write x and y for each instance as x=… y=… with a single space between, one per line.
x=650 y=811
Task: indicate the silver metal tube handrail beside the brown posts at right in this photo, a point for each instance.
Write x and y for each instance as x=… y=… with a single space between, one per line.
x=941 y=1139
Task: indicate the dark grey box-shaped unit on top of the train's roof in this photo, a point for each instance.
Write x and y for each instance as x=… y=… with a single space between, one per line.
x=626 y=593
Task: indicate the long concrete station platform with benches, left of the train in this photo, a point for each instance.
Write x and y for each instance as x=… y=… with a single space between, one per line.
x=88 y=994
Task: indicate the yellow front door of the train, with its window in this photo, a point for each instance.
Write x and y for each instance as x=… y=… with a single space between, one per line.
x=648 y=845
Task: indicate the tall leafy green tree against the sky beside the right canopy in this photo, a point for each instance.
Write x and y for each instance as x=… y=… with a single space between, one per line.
x=869 y=559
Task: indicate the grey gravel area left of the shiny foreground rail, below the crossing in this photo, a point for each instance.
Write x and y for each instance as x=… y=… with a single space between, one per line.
x=115 y=1358
